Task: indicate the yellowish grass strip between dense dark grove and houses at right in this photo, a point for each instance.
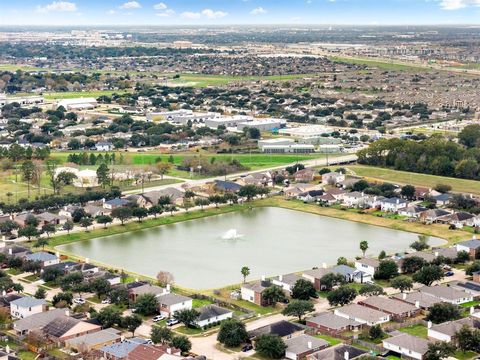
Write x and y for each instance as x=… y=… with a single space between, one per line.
x=416 y=179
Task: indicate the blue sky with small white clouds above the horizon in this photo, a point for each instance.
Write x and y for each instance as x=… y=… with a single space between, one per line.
x=233 y=12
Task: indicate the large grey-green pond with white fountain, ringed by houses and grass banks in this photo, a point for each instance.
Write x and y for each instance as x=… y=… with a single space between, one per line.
x=209 y=252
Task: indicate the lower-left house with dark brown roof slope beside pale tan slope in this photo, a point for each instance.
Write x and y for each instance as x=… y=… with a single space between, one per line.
x=64 y=327
